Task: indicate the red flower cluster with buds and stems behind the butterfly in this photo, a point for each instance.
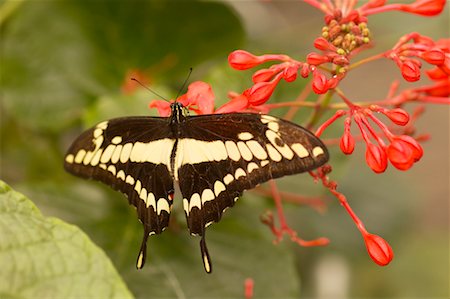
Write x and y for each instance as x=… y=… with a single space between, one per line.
x=384 y=125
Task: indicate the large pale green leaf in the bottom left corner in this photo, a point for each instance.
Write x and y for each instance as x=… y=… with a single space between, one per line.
x=48 y=258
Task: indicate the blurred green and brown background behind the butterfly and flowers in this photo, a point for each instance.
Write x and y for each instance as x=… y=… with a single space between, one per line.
x=62 y=67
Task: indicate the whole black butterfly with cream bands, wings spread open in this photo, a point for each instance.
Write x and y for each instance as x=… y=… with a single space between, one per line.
x=213 y=158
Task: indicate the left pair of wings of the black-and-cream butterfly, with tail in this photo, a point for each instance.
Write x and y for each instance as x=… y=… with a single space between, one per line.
x=131 y=155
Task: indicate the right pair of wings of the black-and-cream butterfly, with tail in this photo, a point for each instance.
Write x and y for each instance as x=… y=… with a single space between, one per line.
x=220 y=156
